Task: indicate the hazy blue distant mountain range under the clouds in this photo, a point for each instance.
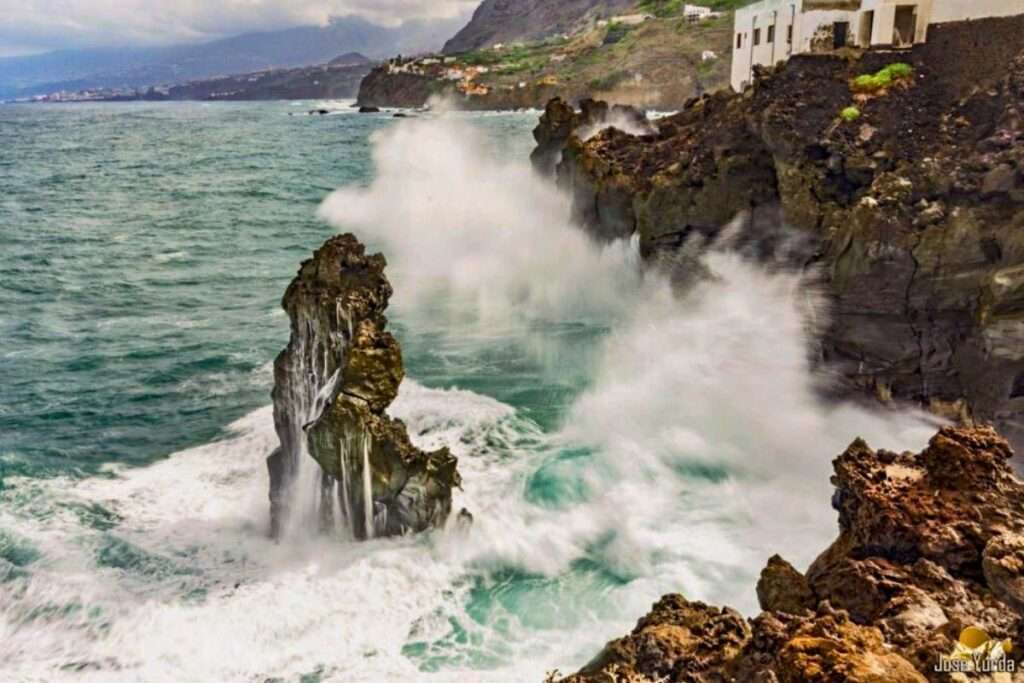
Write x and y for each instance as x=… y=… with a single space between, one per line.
x=134 y=68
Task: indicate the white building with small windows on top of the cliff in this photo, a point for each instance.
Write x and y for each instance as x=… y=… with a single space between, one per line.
x=771 y=31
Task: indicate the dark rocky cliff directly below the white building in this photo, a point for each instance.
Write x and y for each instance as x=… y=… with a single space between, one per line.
x=913 y=209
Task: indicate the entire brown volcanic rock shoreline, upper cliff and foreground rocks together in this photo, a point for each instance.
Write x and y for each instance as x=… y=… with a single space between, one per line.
x=907 y=205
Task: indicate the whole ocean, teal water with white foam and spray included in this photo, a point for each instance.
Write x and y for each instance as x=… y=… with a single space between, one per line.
x=618 y=440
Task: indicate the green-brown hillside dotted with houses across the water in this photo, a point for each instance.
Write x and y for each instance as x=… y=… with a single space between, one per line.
x=659 y=62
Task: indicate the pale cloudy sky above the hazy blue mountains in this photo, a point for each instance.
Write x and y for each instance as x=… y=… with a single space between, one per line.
x=35 y=26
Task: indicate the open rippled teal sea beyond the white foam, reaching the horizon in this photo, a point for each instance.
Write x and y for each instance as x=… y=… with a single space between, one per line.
x=146 y=249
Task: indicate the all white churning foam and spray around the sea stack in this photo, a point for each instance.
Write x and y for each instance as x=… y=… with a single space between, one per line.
x=695 y=448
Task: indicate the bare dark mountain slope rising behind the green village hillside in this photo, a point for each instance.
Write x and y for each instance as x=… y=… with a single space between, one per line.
x=507 y=21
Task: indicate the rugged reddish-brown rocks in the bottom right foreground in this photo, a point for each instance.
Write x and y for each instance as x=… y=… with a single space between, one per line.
x=929 y=545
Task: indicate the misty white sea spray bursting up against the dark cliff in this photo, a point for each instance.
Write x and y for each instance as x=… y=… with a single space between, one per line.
x=703 y=415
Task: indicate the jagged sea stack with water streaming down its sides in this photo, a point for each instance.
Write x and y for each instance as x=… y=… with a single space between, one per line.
x=345 y=466
